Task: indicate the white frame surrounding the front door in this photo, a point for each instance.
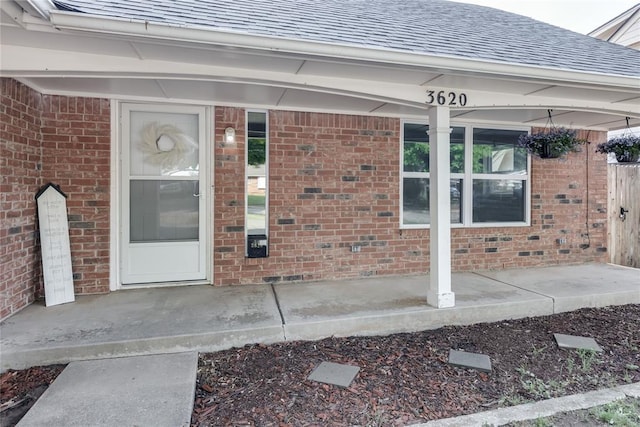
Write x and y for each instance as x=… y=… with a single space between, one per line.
x=116 y=235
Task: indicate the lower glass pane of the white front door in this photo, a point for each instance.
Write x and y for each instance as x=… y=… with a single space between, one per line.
x=163 y=210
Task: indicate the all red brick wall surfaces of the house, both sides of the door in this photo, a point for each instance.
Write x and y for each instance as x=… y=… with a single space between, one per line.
x=333 y=184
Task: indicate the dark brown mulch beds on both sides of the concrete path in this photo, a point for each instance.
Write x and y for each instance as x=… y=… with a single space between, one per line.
x=403 y=378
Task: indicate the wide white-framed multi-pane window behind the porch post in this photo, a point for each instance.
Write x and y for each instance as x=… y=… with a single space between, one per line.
x=489 y=177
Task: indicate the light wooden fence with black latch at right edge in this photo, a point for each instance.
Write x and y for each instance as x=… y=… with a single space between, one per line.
x=624 y=214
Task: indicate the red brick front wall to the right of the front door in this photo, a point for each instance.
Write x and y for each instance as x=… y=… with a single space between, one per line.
x=334 y=183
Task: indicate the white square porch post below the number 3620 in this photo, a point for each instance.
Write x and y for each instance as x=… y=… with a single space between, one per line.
x=439 y=294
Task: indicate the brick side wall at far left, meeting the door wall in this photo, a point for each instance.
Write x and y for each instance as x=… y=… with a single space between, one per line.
x=20 y=163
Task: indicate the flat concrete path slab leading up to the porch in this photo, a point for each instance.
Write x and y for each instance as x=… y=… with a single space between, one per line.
x=131 y=391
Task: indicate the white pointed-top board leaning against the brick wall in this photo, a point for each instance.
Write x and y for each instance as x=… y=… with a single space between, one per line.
x=55 y=246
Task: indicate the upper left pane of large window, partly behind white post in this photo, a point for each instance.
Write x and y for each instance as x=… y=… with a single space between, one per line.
x=416 y=148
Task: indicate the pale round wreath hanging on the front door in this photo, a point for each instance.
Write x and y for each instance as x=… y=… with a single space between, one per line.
x=165 y=145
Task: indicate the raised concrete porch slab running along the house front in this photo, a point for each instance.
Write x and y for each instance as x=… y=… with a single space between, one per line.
x=205 y=318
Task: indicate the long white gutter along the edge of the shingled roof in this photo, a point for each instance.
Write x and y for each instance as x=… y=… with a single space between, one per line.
x=134 y=28
